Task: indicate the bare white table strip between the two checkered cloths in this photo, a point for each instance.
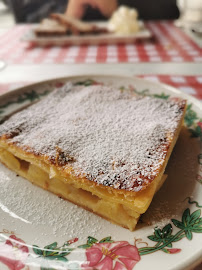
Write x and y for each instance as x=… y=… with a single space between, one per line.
x=14 y=73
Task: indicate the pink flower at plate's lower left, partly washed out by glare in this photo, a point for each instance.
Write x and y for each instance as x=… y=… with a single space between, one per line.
x=13 y=253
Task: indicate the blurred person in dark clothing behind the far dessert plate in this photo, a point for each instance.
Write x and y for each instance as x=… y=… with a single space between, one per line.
x=35 y=10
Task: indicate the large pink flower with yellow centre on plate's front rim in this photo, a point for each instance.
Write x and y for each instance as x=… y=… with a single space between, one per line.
x=111 y=256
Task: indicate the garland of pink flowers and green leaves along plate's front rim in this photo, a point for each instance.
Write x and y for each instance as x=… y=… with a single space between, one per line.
x=106 y=253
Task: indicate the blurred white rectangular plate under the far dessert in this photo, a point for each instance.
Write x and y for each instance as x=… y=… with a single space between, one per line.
x=143 y=33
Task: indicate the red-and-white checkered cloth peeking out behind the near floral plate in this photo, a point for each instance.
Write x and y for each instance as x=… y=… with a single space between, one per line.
x=187 y=84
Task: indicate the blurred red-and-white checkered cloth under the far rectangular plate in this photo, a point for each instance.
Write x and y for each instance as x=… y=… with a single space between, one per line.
x=169 y=44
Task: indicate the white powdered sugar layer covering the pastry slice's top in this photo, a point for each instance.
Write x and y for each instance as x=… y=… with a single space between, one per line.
x=112 y=137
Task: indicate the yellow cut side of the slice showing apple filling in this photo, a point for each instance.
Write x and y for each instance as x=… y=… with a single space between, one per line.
x=121 y=210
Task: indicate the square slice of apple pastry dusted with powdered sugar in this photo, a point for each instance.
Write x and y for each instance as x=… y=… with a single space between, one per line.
x=99 y=147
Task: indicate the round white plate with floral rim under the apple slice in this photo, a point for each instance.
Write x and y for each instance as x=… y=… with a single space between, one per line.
x=38 y=230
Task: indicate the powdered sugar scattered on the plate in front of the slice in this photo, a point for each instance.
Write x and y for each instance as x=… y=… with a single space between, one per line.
x=40 y=208
